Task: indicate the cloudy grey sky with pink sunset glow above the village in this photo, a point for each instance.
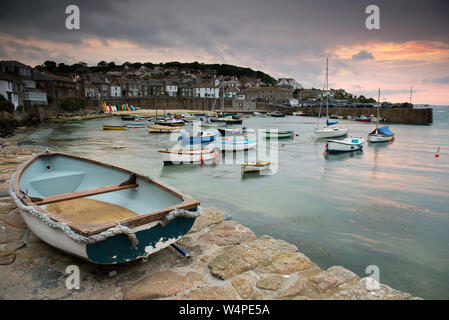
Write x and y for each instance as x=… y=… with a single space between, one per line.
x=284 y=38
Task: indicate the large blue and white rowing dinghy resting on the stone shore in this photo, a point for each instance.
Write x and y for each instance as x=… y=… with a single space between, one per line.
x=97 y=211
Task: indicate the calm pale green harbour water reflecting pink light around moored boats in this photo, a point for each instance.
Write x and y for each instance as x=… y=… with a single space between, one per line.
x=385 y=206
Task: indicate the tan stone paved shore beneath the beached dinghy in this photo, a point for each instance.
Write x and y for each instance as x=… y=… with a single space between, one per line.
x=227 y=262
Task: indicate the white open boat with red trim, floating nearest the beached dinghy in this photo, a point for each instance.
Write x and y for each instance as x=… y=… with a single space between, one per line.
x=188 y=156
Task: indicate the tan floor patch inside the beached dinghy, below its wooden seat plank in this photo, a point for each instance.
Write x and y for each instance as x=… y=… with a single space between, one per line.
x=89 y=211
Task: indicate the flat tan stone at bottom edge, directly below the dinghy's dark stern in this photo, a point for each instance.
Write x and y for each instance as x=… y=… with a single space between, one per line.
x=161 y=285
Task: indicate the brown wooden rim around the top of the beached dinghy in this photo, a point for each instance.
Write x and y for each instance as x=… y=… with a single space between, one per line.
x=89 y=230
